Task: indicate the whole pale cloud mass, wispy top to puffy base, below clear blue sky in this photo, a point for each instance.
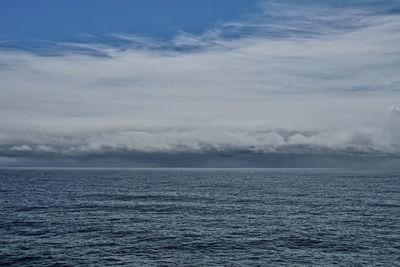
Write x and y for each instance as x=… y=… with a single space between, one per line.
x=262 y=86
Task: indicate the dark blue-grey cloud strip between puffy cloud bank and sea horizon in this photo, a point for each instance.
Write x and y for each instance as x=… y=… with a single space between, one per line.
x=210 y=159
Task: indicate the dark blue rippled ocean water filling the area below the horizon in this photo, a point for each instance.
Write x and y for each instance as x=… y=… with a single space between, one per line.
x=199 y=217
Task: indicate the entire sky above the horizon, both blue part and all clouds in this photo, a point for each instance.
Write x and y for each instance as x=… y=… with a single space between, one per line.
x=184 y=83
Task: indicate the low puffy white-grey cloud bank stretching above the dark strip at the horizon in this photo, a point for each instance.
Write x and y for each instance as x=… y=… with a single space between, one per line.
x=360 y=141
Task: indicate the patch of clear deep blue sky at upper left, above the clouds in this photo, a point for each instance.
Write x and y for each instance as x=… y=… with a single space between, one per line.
x=71 y=20
